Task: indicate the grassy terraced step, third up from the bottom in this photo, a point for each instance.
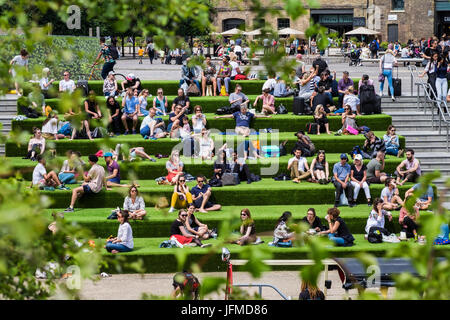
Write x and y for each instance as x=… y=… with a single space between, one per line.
x=265 y=192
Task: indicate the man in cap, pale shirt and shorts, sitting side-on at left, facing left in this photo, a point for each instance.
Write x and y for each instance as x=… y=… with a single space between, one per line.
x=93 y=183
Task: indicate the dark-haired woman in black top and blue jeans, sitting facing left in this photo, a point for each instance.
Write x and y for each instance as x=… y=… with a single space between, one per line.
x=337 y=229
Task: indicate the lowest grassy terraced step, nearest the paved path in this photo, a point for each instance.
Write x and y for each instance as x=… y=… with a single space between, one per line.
x=163 y=260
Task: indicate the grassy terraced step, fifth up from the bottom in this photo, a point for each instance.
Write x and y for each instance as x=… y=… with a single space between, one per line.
x=329 y=143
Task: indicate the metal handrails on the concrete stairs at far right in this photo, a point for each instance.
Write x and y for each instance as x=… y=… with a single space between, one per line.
x=430 y=98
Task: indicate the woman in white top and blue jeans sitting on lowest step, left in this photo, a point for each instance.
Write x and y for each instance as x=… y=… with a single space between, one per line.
x=124 y=240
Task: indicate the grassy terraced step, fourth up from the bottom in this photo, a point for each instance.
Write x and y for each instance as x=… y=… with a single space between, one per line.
x=152 y=170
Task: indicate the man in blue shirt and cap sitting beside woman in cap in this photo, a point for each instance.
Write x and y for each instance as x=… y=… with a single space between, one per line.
x=341 y=181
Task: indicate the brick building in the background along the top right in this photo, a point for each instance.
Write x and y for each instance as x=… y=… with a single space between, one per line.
x=394 y=19
